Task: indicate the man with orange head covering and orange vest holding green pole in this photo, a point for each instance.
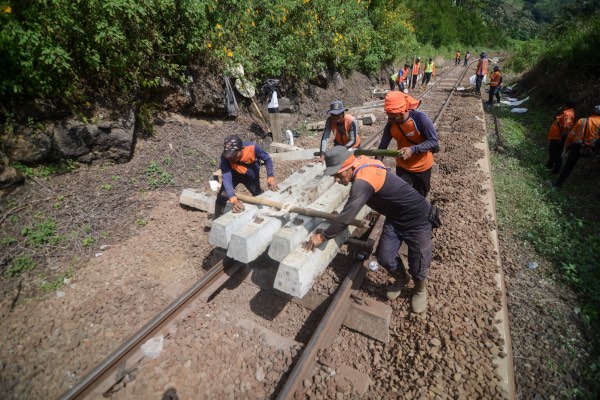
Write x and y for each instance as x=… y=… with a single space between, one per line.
x=416 y=138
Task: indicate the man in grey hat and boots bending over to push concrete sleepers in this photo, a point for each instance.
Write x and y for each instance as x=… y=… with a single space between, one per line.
x=406 y=219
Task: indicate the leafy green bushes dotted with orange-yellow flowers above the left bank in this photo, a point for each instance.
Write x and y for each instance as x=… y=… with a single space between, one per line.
x=50 y=49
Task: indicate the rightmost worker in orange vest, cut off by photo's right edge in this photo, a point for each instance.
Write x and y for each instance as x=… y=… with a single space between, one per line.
x=581 y=141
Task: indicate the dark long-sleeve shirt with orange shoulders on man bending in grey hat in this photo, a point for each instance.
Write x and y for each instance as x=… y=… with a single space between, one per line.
x=385 y=193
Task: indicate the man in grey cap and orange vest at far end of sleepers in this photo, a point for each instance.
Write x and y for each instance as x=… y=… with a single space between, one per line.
x=343 y=125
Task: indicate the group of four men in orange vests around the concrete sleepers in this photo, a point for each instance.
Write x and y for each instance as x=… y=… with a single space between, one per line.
x=400 y=197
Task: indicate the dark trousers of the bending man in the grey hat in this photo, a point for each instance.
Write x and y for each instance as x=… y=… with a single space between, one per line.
x=419 y=245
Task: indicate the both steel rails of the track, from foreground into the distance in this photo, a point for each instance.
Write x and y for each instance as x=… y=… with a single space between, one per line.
x=115 y=366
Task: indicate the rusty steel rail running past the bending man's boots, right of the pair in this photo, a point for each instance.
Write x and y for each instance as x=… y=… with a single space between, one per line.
x=330 y=323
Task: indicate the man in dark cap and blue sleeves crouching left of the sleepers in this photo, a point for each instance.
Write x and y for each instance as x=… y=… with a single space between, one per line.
x=240 y=163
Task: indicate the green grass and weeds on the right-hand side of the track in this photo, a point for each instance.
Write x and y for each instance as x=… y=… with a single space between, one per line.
x=552 y=222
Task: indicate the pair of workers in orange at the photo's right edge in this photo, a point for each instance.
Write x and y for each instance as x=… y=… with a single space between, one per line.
x=579 y=139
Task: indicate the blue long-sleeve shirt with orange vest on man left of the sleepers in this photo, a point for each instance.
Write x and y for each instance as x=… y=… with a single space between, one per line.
x=248 y=166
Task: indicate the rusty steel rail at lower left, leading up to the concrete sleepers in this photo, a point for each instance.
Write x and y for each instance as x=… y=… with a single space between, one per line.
x=111 y=364
